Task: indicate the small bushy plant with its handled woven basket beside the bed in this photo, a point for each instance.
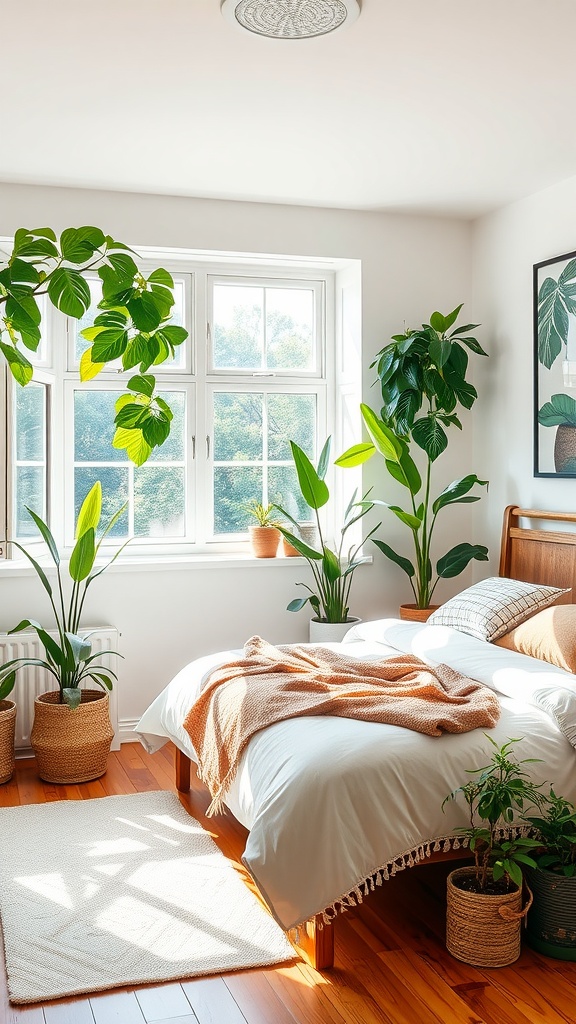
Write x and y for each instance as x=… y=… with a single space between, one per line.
x=485 y=903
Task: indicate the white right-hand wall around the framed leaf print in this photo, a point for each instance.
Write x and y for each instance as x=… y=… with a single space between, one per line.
x=507 y=244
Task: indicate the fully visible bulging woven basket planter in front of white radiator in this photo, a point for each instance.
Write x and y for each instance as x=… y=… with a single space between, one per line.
x=71 y=746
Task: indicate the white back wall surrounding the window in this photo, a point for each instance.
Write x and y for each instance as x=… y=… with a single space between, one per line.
x=410 y=266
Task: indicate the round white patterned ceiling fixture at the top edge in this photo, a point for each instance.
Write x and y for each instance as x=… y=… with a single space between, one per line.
x=291 y=19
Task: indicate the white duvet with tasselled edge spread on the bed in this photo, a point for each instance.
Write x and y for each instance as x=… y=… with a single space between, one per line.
x=332 y=803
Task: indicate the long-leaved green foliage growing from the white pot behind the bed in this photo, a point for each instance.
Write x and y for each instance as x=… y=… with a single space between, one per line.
x=333 y=571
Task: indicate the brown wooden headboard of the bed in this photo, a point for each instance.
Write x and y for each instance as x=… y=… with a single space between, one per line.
x=538 y=556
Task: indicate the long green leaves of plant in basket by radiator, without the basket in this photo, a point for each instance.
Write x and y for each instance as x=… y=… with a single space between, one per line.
x=69 y=656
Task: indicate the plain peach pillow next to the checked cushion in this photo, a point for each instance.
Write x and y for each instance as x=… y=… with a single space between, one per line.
x=550 y=636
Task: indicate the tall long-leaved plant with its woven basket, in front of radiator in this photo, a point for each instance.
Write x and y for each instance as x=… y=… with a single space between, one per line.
x=72 y=733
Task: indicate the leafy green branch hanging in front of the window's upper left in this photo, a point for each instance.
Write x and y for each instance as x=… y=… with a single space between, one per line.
x=134 y=326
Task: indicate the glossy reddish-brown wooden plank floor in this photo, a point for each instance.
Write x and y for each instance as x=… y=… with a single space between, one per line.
x=392 y=967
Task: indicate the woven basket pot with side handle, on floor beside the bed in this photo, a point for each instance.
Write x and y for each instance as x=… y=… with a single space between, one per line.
x=483 y=930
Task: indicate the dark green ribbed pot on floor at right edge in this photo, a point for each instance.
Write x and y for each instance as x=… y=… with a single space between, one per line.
x=552 y=922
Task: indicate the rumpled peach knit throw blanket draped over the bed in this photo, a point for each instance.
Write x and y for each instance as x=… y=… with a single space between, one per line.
x=271 y=685
